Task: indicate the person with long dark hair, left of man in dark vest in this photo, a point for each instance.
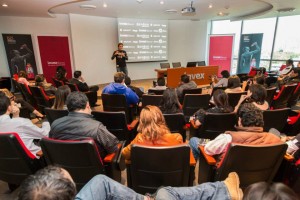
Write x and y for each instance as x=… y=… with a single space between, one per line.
x=61 y=95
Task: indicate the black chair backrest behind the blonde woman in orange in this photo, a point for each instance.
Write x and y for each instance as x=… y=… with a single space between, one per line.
x=147 y=174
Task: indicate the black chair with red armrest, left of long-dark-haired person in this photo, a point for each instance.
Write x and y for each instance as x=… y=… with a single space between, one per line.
x=42 y=99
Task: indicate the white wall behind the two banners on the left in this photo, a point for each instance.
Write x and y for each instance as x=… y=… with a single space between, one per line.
x=35 y=26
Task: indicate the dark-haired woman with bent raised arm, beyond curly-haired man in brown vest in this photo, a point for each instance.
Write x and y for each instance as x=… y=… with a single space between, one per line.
x=256 y=95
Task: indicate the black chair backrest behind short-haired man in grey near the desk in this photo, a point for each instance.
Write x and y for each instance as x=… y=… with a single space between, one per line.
x=193 y=102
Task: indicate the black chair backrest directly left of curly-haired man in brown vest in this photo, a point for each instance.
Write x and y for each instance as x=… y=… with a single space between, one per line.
x=217 y=123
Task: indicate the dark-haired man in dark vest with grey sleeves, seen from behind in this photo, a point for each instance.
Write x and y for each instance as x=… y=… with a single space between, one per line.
x=80 y=124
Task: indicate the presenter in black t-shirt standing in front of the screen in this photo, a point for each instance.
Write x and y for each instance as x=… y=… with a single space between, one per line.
x=121 y=57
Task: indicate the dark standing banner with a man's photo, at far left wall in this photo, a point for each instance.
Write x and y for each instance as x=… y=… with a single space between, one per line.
x=20 y=55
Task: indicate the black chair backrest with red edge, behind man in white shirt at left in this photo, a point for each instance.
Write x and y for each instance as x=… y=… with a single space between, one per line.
x=16 y=161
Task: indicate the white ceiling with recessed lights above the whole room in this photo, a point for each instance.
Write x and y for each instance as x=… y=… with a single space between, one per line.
x=150 y=9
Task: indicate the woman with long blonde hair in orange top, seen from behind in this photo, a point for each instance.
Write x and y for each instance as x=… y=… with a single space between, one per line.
x=153 y=131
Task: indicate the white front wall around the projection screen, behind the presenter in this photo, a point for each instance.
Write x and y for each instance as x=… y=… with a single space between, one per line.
x=95 y=38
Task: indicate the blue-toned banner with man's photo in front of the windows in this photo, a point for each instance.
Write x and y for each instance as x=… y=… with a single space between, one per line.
x=250 y=51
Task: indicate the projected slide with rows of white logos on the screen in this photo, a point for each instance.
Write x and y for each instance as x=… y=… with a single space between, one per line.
x=144 y=40
